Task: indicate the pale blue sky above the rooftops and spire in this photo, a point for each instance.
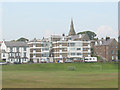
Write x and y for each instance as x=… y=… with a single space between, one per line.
x=42 y=19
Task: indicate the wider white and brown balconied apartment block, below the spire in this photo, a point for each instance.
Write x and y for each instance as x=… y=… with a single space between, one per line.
x=73 y=50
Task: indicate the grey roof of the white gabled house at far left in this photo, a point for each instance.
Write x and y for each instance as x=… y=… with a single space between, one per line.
x=16 y=44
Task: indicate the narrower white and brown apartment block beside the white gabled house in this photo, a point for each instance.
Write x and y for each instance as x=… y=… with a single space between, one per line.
x=39 y=49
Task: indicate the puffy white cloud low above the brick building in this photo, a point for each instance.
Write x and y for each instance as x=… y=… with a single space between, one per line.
x=104 y=31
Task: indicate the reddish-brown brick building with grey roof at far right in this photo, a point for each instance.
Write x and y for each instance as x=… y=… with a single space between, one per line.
x=107 y=49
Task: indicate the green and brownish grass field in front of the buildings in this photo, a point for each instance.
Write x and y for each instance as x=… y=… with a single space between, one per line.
x=54 y=75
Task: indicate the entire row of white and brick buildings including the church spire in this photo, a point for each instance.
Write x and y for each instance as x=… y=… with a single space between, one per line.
x=59 y=47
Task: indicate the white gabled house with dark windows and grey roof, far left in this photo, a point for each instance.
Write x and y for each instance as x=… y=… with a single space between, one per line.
x=15 y=52
